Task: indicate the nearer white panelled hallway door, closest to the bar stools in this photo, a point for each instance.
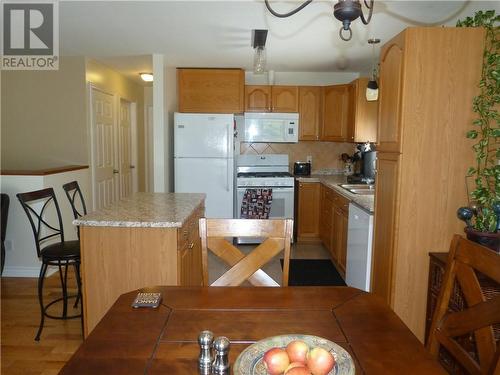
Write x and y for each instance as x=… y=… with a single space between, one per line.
x=103 y=149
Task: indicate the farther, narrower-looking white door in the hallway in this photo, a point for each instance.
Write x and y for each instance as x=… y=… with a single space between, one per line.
x=124 y=148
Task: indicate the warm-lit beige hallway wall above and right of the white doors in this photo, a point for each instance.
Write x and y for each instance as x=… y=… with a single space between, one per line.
x=115 y=83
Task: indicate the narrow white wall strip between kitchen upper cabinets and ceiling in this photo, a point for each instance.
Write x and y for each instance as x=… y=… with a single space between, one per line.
x=301 y=78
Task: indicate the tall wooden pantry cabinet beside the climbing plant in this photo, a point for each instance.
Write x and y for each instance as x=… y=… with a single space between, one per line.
x=428 y=78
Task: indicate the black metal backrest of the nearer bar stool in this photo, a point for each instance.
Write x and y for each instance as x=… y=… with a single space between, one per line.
x=42 y=229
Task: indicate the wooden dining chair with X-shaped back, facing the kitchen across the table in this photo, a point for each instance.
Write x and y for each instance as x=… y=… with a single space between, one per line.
x=214 y=234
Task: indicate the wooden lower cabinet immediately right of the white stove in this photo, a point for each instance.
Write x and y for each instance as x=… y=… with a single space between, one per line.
x=308 y=211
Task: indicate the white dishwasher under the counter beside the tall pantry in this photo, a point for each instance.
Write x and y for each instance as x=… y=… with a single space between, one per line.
x=359 y=248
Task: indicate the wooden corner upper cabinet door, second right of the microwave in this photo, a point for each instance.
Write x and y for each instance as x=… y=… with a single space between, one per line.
x=335 y=113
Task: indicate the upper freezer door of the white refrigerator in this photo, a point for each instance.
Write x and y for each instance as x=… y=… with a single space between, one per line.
x=203 y=135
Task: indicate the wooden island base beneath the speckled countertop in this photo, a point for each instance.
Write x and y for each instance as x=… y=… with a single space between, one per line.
x=116 y=260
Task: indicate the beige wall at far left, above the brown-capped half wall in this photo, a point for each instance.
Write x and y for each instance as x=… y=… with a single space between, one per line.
x=43 y=121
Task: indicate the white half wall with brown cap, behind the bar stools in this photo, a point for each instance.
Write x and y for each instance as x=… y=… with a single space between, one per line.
x=20 y=256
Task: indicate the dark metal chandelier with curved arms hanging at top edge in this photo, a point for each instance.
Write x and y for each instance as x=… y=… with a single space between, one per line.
x=345 y=11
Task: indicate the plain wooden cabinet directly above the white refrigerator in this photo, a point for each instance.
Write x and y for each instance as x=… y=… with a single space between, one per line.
x=211 y=90
